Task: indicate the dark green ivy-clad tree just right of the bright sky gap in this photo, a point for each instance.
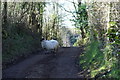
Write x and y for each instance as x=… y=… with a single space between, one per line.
x=81 y=19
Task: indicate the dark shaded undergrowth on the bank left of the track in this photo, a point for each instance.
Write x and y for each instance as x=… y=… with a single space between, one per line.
x=19 y=42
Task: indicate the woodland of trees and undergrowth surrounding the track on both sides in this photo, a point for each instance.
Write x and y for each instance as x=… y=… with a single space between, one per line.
x=96 y=29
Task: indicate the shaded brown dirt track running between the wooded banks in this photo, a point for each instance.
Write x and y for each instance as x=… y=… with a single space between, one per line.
x=62 y=65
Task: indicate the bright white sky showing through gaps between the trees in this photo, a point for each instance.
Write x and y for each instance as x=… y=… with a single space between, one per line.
x=68 y=6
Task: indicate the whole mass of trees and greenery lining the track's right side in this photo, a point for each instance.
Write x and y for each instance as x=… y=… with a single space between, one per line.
x=101 y=55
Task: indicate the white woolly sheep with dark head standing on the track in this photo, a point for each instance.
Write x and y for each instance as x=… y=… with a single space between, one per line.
x=50 y=45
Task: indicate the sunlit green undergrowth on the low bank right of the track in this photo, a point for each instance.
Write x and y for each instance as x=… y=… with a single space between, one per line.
x=100 y=63
